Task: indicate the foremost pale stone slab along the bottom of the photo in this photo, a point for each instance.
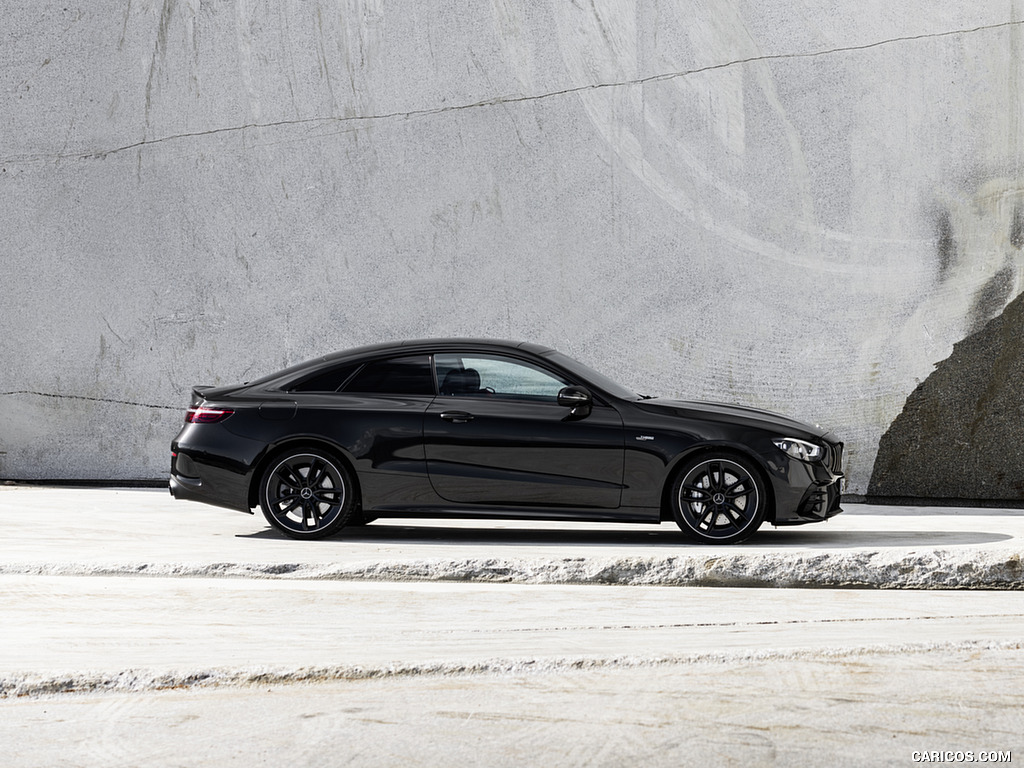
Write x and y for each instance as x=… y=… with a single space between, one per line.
x=869 y=710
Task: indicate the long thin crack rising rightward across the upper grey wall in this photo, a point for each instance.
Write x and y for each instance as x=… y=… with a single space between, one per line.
x=505 y=101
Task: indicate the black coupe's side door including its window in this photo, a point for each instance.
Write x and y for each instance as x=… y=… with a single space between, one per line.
x=496 y=436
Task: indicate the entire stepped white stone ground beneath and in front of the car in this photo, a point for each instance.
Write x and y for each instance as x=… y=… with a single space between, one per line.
x=139 y=630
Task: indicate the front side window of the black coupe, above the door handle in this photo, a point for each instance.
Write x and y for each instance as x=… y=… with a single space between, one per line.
x=494 y=376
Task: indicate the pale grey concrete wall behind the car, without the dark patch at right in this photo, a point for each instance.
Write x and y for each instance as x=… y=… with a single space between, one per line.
x=801 y=207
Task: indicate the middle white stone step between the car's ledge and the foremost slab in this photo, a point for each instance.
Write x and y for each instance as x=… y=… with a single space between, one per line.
x=130 y=633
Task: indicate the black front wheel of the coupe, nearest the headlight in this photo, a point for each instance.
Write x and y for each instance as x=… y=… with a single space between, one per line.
x=719 y=498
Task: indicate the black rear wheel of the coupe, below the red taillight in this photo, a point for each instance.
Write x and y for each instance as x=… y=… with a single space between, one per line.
x=307 y=494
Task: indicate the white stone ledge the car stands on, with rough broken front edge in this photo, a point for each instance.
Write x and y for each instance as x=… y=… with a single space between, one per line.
x=96 y=531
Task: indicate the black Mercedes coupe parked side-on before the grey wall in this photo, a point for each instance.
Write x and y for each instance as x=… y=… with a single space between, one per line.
x=493 y=430
